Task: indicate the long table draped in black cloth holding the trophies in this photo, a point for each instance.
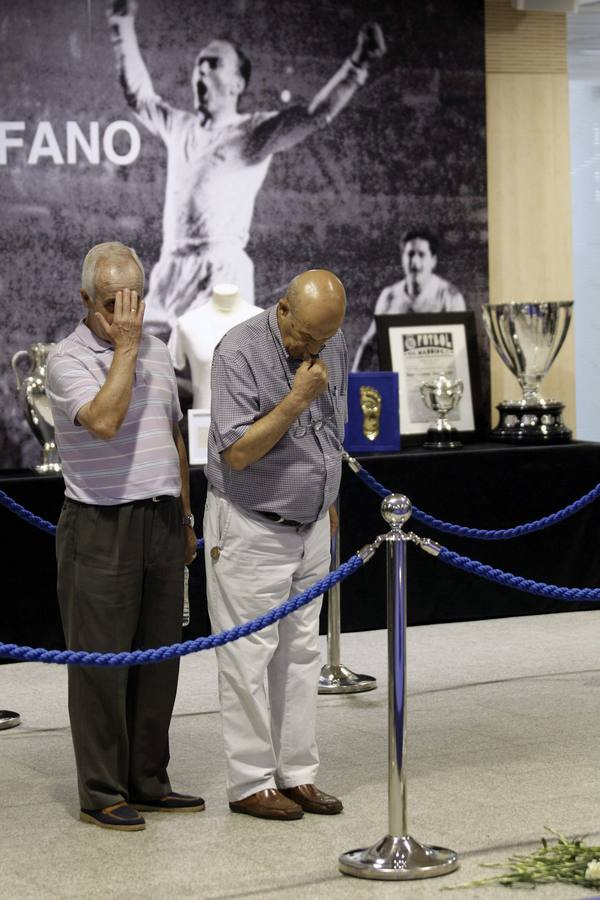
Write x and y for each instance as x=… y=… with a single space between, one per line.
x=484 y=486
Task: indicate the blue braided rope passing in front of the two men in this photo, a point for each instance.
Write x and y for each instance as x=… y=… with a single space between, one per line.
x=160 y=654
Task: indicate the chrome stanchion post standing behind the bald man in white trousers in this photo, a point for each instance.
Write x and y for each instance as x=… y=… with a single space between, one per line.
x=336 y=678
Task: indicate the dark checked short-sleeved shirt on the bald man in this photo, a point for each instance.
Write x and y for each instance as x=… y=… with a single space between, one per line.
x=299 y=477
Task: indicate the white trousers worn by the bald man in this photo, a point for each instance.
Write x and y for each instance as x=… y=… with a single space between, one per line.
x=253 y=565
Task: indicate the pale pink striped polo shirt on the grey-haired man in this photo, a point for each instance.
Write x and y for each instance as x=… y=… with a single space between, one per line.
x=141 y=461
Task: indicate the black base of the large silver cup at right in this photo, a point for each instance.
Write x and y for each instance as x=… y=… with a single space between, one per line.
x=539 y=423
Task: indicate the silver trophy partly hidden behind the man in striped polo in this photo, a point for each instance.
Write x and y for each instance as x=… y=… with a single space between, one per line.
x=31 y=386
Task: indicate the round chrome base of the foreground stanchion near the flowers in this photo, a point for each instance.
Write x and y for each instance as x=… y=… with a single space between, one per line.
x=397 y=859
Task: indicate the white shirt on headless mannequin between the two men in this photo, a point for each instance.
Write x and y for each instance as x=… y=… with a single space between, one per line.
x=197 y=332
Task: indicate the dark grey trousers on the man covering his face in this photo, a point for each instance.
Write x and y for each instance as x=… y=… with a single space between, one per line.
x=120 y=587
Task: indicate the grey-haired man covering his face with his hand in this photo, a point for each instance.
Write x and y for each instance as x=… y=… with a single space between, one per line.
x=124 y=534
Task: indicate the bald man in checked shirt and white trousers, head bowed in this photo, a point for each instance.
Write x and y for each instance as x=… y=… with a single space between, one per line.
x=274 y=467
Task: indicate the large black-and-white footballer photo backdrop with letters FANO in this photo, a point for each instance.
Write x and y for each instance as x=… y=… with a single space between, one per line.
x=237 y=141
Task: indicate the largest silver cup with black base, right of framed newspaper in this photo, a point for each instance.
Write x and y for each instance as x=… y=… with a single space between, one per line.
x=528 y=337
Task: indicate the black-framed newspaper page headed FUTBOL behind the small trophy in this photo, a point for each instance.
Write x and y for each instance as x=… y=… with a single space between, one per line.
x=421 y=347
